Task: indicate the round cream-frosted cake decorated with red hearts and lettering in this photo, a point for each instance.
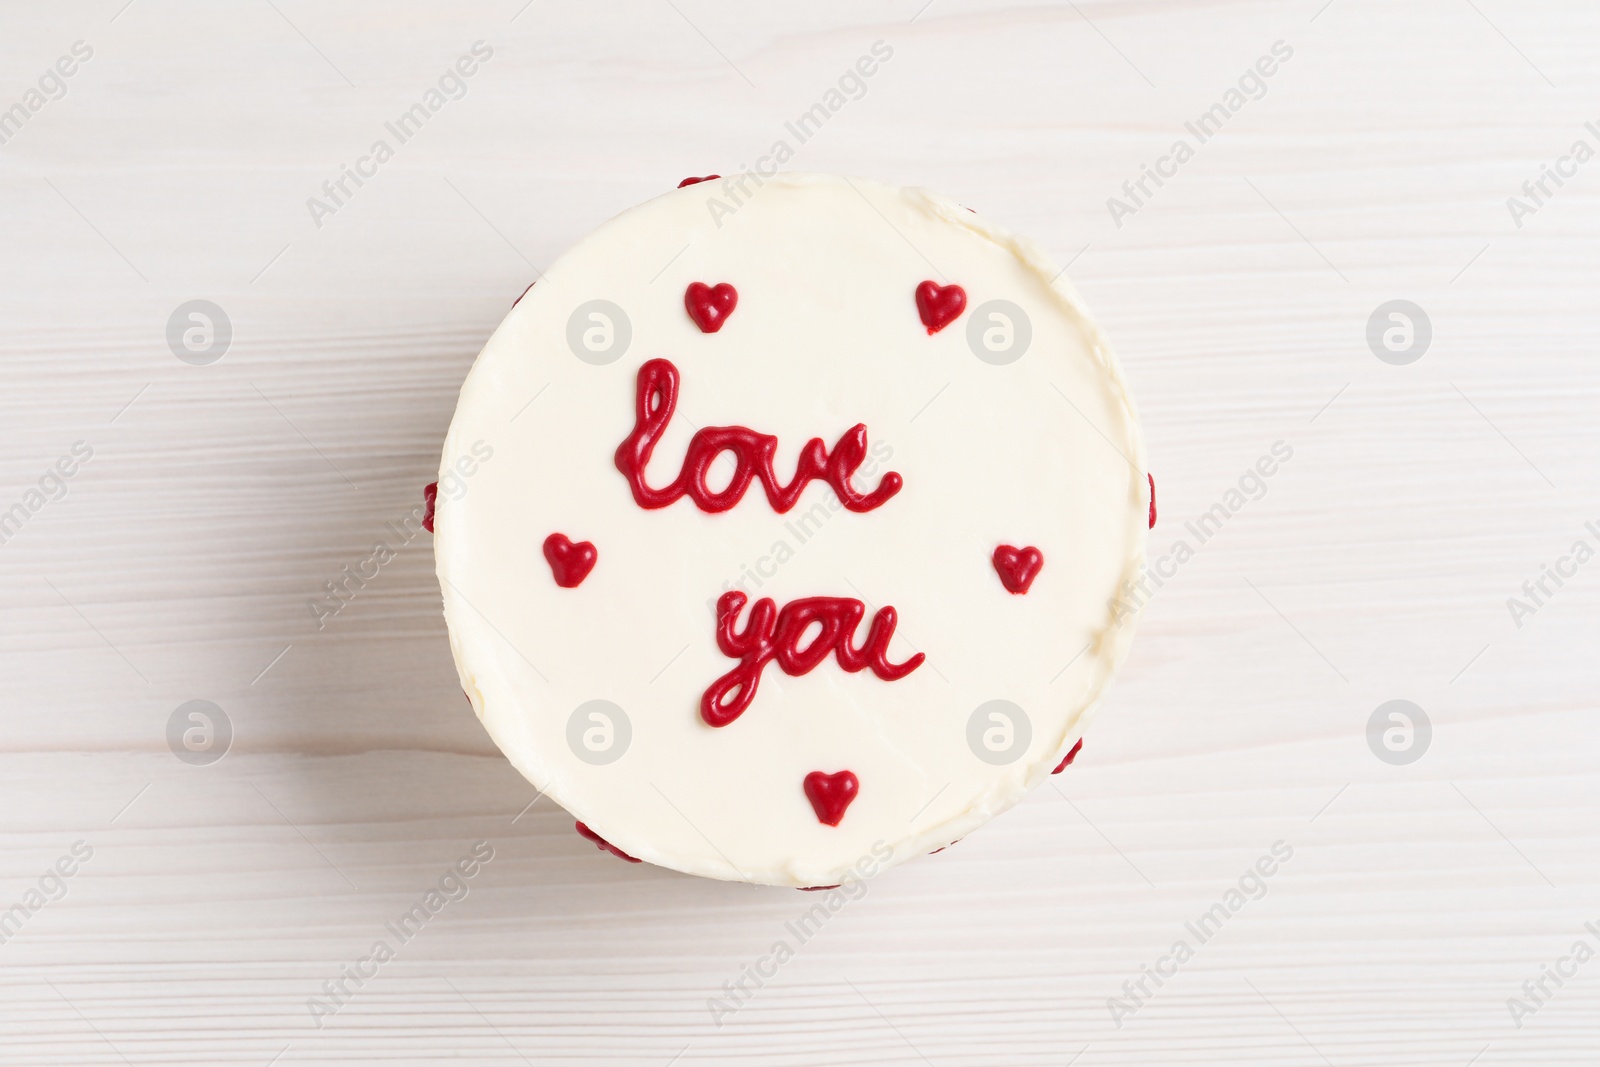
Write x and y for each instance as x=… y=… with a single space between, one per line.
x=785 y=527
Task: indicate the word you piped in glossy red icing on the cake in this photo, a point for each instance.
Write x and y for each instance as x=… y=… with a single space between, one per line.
x=777 y=636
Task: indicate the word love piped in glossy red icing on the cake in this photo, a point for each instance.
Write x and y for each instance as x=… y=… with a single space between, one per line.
x=657 y=401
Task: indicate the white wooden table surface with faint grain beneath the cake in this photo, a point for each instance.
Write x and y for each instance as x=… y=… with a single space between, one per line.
x=180 y=561
